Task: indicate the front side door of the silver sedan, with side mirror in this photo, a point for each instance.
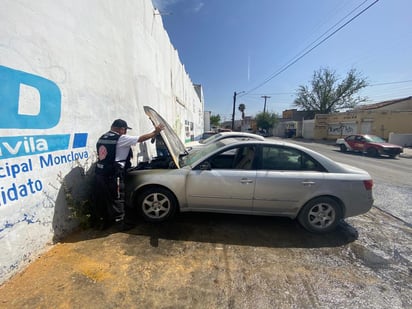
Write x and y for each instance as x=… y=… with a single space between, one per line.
x=223 y=182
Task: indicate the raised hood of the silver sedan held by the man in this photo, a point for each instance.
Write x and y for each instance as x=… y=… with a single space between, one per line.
x=170 y=138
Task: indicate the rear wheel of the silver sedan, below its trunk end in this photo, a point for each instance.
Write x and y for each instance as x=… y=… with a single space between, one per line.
x=320 y=215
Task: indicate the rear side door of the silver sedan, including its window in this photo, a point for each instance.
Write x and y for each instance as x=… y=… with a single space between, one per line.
x=286 y=178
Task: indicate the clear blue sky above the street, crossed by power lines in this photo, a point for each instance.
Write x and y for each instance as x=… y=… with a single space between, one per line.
x=253 y=47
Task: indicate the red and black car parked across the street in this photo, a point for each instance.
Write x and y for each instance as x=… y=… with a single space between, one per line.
x=371 y=145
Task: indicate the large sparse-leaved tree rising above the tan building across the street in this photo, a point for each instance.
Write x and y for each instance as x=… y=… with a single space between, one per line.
x=327 y=95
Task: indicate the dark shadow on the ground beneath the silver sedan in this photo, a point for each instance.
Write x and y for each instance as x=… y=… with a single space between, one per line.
x=228 y=229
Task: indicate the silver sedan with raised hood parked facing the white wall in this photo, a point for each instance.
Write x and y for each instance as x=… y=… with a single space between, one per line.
x=254 y=177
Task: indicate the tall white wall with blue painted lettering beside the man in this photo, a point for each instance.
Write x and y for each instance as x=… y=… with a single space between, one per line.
x=67 y=69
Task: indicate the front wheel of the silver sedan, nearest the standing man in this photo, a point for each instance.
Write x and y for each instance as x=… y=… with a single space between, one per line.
x=156 y=204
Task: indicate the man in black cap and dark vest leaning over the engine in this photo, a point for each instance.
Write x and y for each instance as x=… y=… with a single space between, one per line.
x=114 y=154
